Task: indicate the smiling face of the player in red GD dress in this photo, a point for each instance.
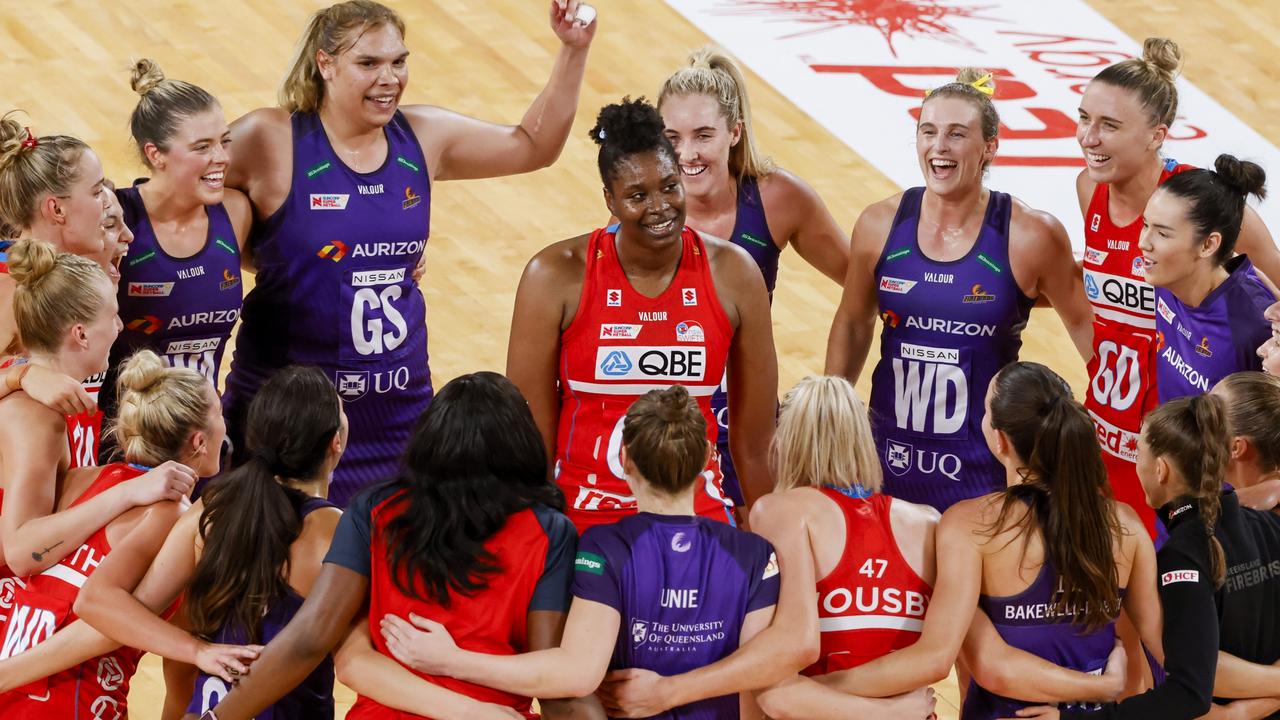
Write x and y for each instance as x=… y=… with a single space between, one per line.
x=1117 y=134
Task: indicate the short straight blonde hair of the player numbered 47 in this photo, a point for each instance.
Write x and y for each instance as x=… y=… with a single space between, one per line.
x=825 y=439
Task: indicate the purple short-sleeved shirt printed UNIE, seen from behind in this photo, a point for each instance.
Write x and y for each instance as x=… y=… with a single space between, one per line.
x=682 y=586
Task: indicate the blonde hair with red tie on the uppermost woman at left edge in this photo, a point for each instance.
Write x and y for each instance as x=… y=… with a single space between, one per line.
x=31 y=168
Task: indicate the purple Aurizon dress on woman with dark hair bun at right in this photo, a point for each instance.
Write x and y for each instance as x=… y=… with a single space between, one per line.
x=1199 y=347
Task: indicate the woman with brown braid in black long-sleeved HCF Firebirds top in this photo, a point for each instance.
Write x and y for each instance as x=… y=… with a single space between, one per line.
x=1213 y=594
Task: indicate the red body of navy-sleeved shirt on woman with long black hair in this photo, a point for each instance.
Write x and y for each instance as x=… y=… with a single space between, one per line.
x=492 y=621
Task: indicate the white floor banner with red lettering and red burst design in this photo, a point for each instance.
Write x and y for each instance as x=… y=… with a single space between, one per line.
x=862 y=67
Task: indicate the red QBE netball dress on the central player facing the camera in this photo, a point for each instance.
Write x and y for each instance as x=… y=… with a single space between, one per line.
x=621 y=345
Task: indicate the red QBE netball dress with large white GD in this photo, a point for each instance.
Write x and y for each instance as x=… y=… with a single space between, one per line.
x=1123 y=371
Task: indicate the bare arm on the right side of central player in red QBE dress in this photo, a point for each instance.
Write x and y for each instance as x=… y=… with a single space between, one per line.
x=753 y=376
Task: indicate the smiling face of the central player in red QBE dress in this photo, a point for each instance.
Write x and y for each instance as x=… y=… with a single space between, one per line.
x=647 y=197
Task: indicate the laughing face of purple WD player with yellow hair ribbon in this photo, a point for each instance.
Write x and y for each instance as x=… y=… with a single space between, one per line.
x=950 y=147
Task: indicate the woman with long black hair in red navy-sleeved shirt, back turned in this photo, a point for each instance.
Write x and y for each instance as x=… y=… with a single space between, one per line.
x=469 y=535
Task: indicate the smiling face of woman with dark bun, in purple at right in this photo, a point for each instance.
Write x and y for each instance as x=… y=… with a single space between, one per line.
x=1171 y=248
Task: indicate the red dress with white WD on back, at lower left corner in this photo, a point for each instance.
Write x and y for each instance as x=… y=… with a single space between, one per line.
x=97 y=689
